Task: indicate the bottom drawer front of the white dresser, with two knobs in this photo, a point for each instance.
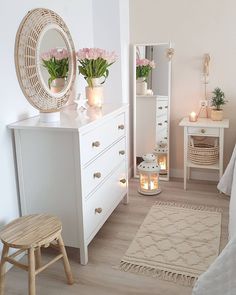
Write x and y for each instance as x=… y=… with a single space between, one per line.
x=100 y=205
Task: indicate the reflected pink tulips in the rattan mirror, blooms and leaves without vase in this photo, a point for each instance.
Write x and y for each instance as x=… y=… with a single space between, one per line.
x=56 y=61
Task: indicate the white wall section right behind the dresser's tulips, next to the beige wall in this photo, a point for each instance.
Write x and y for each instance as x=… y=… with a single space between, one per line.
x=111 y=32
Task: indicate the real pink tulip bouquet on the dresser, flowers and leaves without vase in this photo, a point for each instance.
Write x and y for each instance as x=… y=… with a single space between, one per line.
x=94 y=63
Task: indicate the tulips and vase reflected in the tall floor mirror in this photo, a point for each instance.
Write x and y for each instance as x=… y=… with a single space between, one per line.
x=143 y=69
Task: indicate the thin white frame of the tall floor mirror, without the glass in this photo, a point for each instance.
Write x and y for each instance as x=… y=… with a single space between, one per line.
x=135 y=174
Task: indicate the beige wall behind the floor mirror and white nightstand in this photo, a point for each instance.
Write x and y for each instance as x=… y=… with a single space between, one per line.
x=195 y=27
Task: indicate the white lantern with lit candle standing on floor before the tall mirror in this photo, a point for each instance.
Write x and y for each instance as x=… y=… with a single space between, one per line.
x=149 y=176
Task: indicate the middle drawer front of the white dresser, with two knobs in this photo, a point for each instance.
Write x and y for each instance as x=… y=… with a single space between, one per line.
x=100 y=168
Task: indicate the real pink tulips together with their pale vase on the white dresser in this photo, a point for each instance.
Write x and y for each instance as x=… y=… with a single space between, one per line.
x=93 y=65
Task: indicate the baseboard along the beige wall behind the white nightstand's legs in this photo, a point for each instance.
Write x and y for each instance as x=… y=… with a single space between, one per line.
x=197 y=174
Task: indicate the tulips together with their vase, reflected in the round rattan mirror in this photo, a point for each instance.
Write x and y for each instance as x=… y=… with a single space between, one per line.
x=56 y=61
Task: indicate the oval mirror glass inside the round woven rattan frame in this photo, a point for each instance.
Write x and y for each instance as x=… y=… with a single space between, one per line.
x=54 y=61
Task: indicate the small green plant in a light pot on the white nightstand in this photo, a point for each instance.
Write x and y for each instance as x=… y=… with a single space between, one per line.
x=216 y=102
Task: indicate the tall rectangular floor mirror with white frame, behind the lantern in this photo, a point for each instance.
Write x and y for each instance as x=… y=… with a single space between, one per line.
x=151 y=104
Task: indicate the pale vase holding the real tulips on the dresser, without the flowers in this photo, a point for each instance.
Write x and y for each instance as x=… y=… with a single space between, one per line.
x=94 y=94
